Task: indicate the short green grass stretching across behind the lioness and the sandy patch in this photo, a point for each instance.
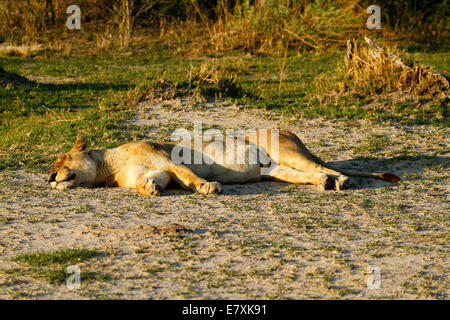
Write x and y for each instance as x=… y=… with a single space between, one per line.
x=37 y=123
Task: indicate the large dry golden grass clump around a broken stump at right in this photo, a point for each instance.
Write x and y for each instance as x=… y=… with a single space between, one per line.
x=391 y=85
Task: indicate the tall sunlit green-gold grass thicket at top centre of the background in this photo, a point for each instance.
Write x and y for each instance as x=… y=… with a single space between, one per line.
x=266 y=26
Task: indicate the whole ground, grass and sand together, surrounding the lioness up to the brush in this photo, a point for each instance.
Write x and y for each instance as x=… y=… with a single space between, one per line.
x=265 y=240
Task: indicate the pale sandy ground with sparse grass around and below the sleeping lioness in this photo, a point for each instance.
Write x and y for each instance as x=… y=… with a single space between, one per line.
x=262 y=240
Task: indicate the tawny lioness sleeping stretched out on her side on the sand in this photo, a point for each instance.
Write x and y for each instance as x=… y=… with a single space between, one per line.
x=148 y=167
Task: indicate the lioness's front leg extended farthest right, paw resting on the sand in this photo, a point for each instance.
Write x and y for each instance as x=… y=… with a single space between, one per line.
x=189 y=180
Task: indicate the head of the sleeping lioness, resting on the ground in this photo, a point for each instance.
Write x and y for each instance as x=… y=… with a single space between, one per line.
x=74 y=168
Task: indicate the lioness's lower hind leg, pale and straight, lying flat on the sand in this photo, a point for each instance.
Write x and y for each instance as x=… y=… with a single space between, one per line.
x=321 y=180
